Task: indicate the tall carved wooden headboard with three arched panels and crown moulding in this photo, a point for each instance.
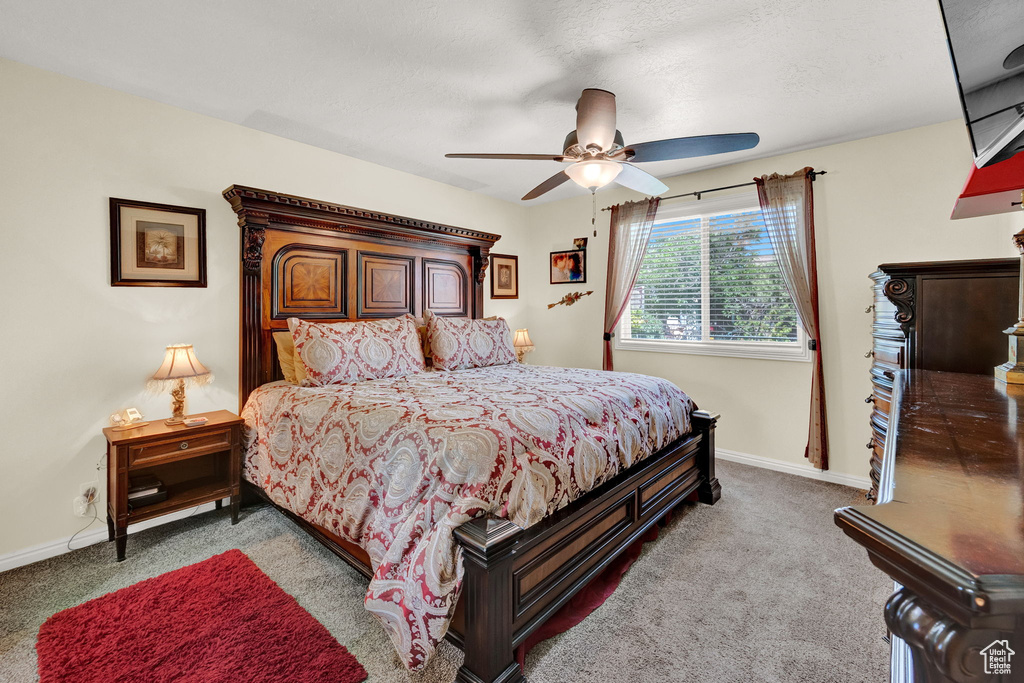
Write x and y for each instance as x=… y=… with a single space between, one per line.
x=304 y=259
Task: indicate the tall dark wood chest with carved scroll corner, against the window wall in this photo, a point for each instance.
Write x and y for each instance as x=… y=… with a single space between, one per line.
x=945 y=316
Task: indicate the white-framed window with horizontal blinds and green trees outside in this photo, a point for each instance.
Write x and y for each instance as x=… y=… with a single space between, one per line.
x=710 y=284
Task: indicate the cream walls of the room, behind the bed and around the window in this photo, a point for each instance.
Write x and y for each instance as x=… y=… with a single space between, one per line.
x=78 y=350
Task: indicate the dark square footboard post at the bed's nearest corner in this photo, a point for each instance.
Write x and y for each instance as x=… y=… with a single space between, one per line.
x=488 y=550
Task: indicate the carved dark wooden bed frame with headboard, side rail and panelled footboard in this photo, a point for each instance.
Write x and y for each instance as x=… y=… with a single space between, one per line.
x=330 y=263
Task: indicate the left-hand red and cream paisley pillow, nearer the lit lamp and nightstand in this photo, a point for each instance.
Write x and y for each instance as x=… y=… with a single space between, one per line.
x=345 y=353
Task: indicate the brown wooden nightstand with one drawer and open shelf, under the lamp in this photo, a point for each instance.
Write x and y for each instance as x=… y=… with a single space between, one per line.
x=196 y=465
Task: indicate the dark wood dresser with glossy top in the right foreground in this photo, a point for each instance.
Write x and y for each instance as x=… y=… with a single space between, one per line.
x=949 y=528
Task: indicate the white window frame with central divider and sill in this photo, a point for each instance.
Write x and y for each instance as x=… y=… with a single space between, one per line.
x=798 y=352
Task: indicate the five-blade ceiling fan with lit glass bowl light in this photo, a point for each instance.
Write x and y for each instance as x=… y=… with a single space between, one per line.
x=599 y=156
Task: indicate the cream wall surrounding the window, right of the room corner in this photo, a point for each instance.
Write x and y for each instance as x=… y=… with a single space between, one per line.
x=885 y=199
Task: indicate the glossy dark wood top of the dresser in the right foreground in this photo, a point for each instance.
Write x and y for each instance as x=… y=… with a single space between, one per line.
x=953 y=488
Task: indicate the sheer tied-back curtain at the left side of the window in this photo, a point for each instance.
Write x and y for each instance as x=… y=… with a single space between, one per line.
x=631 y=226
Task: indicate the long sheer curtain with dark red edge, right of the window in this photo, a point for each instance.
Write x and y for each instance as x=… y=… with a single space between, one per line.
x=788 y=205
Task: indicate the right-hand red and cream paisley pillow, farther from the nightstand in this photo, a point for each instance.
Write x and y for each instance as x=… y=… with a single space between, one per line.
x=458 y=344
